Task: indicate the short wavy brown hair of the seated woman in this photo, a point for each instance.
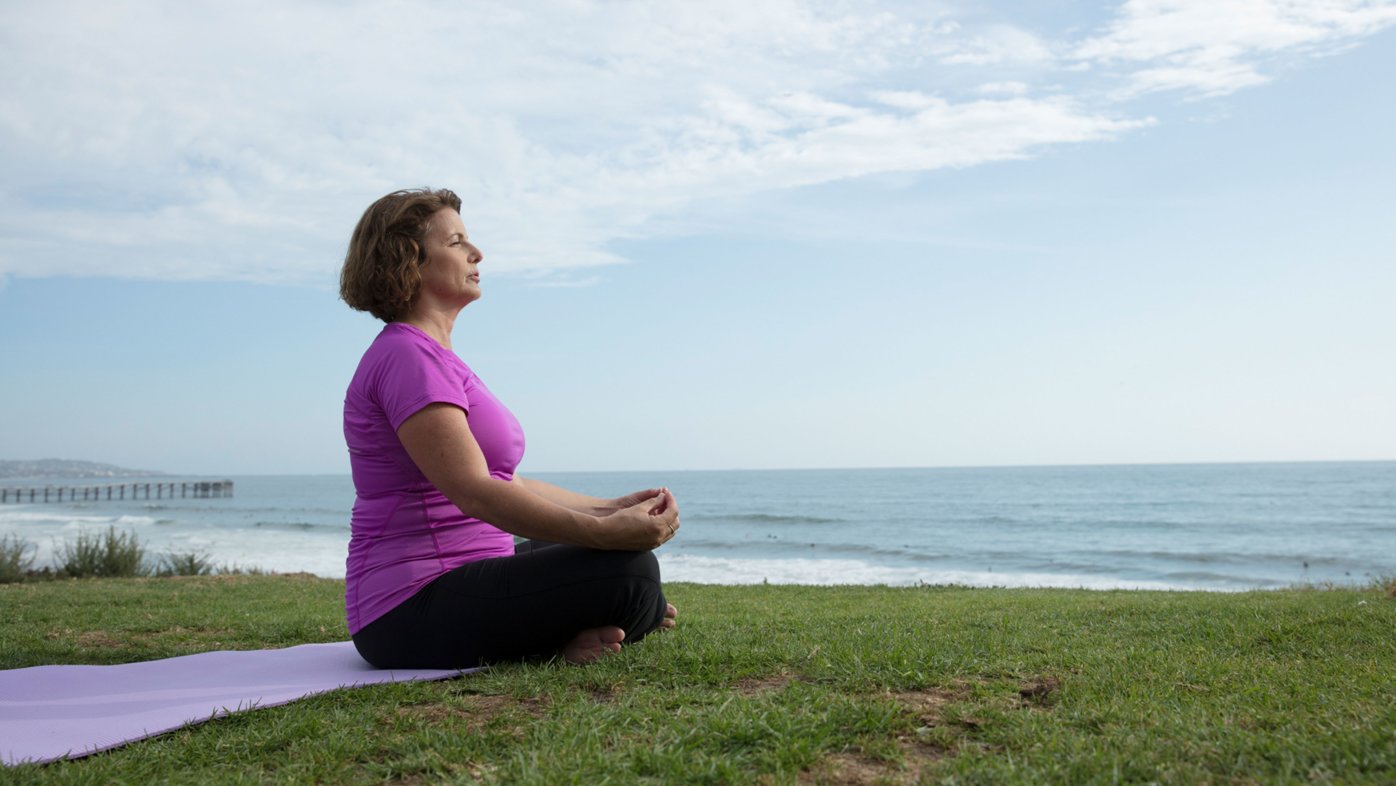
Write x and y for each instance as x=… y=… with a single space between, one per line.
x=382 y=270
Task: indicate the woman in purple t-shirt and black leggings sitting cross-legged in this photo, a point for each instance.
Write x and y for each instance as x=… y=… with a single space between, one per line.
x=435 y=579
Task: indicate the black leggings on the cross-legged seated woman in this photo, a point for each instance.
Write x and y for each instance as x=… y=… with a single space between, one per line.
x=514 y=608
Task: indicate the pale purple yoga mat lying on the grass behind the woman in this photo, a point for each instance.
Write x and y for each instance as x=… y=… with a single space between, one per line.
x=52 y=713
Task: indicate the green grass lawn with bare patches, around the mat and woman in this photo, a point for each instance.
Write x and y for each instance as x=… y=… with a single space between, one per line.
x=781 y=685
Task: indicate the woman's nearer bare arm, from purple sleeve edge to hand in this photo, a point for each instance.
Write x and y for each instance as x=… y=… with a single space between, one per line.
x=440 y=443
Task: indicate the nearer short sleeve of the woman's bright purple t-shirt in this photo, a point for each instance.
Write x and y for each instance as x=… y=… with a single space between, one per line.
x=411 y=375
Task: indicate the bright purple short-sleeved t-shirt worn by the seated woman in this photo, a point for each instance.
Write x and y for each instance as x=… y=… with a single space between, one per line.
x=406 y=533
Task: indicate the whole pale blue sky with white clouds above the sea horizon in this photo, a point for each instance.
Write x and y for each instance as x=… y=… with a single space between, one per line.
x=770 y=235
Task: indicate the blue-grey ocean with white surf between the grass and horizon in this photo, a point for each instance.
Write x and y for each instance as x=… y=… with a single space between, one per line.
x=1224 y=527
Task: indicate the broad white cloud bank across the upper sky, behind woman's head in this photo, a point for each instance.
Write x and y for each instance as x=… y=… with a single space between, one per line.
x=172 y=140
